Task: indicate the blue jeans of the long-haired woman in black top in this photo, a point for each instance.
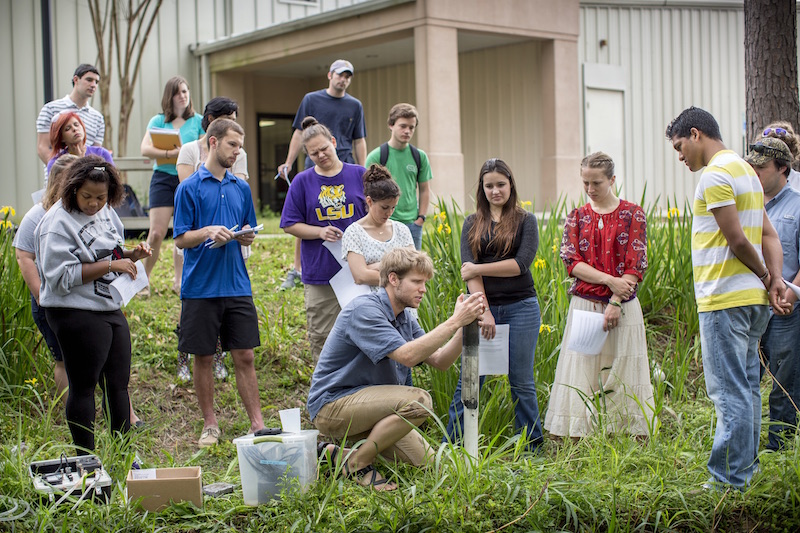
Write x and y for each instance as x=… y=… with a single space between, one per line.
x=524 y=319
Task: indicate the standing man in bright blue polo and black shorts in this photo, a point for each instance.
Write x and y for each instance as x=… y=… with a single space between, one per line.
x=216 y=296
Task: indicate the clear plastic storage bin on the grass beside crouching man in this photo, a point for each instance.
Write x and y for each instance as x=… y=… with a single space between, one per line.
x=270 y=463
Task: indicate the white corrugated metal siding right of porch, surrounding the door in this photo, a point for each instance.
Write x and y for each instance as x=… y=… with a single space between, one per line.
x=673 y=58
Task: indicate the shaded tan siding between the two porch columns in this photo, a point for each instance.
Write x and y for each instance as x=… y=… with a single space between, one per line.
x=500 y=114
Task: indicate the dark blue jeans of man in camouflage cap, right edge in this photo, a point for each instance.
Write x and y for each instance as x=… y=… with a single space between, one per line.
x=781 y=348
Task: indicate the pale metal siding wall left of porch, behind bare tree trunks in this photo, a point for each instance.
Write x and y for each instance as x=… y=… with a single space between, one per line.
x=180 y=24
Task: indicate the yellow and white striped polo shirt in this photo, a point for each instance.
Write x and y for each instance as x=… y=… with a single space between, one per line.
x=721 y=280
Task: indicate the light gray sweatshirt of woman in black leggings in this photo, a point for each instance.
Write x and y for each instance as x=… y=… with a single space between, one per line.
x=64 y=241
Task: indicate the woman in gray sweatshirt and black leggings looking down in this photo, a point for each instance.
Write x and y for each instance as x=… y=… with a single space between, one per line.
x=80 y=247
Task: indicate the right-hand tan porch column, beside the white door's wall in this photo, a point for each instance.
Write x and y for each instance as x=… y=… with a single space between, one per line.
x=561 y=122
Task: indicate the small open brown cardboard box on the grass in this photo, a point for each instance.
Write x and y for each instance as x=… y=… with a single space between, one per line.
x=159 y=486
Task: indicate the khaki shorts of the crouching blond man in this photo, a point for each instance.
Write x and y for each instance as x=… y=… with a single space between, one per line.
x=356 y=414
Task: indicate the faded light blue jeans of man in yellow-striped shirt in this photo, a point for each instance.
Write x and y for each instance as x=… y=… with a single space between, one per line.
x=729 y=340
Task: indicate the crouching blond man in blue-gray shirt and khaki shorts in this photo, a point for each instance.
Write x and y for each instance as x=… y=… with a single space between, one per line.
x=358 y=389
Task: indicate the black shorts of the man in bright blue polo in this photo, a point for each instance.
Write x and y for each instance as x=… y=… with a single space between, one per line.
x=234 y=320
